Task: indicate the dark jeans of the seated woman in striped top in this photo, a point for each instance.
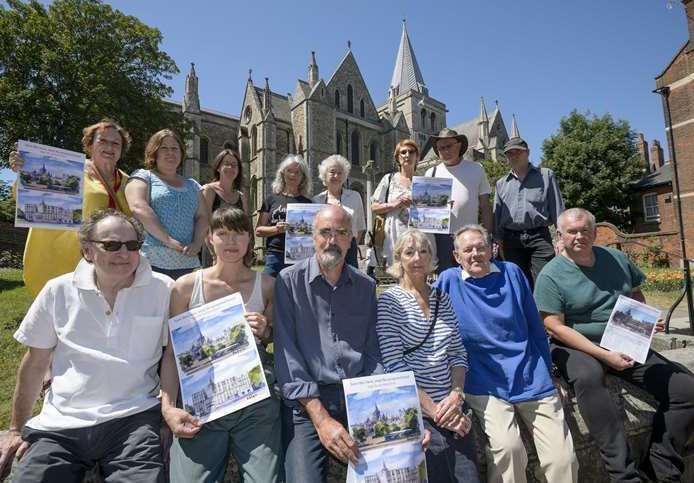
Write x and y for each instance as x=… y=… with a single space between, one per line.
x=450 y=458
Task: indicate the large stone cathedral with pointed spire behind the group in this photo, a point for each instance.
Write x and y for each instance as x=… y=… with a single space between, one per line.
x=324 y=117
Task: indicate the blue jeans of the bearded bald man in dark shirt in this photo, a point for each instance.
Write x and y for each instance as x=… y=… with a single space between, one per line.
x=305 y=458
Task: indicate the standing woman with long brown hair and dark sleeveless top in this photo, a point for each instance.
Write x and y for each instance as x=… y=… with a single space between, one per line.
x=225 y=190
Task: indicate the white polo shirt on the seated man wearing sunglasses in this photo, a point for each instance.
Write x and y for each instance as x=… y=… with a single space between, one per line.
x=104 y=361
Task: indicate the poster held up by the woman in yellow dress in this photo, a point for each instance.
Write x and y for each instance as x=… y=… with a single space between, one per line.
x=49 y=187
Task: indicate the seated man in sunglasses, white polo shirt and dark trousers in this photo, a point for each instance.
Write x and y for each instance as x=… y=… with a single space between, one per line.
x=100 y=329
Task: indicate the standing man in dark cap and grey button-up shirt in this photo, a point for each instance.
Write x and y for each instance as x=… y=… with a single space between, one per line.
x=526 y=203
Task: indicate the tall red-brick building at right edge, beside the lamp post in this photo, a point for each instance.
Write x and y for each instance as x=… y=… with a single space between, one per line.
x=678 y=75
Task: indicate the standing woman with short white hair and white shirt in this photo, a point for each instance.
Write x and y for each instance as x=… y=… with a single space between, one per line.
x=333 y=172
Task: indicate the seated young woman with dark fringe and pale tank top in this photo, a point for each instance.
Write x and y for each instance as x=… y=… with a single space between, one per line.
x=201 y=453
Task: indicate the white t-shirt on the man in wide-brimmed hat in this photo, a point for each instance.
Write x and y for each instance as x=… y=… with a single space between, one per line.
x=469 y=182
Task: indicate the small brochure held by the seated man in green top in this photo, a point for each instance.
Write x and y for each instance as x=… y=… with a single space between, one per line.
x=630 y=328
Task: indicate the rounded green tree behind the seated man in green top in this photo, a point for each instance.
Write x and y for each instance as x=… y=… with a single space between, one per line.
x=594 y=159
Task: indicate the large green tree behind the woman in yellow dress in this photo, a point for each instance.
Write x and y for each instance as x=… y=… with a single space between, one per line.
x=71 y=63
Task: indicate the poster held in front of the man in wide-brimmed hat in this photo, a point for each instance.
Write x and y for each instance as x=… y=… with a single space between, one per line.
x=431 y=210
